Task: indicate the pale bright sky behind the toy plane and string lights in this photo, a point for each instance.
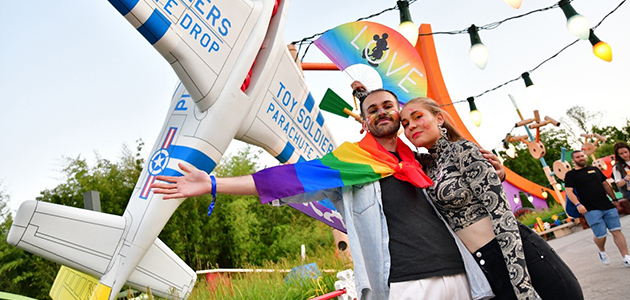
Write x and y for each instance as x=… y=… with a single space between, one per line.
x=77 y=80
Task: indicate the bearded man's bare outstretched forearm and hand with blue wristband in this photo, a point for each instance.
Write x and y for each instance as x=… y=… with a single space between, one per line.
x=196 y=183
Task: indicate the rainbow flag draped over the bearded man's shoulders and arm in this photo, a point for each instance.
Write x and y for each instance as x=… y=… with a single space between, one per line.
x=349 y=164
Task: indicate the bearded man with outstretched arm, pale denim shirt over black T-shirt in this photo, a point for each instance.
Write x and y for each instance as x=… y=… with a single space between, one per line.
x=400 y=247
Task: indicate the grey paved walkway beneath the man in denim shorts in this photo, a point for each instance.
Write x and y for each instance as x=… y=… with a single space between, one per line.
x=598 y=281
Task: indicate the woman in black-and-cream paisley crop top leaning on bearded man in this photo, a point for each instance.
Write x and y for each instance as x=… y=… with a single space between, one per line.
x=469 y=194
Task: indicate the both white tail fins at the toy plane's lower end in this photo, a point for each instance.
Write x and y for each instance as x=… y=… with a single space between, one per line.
x=86 y=240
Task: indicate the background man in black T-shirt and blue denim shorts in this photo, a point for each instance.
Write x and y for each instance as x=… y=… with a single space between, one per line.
x=592 y=187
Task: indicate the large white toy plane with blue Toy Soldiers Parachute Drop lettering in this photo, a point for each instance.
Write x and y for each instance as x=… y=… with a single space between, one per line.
x=238 y=80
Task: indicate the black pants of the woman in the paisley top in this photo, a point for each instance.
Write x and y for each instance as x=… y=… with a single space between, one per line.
x=551 y=277
